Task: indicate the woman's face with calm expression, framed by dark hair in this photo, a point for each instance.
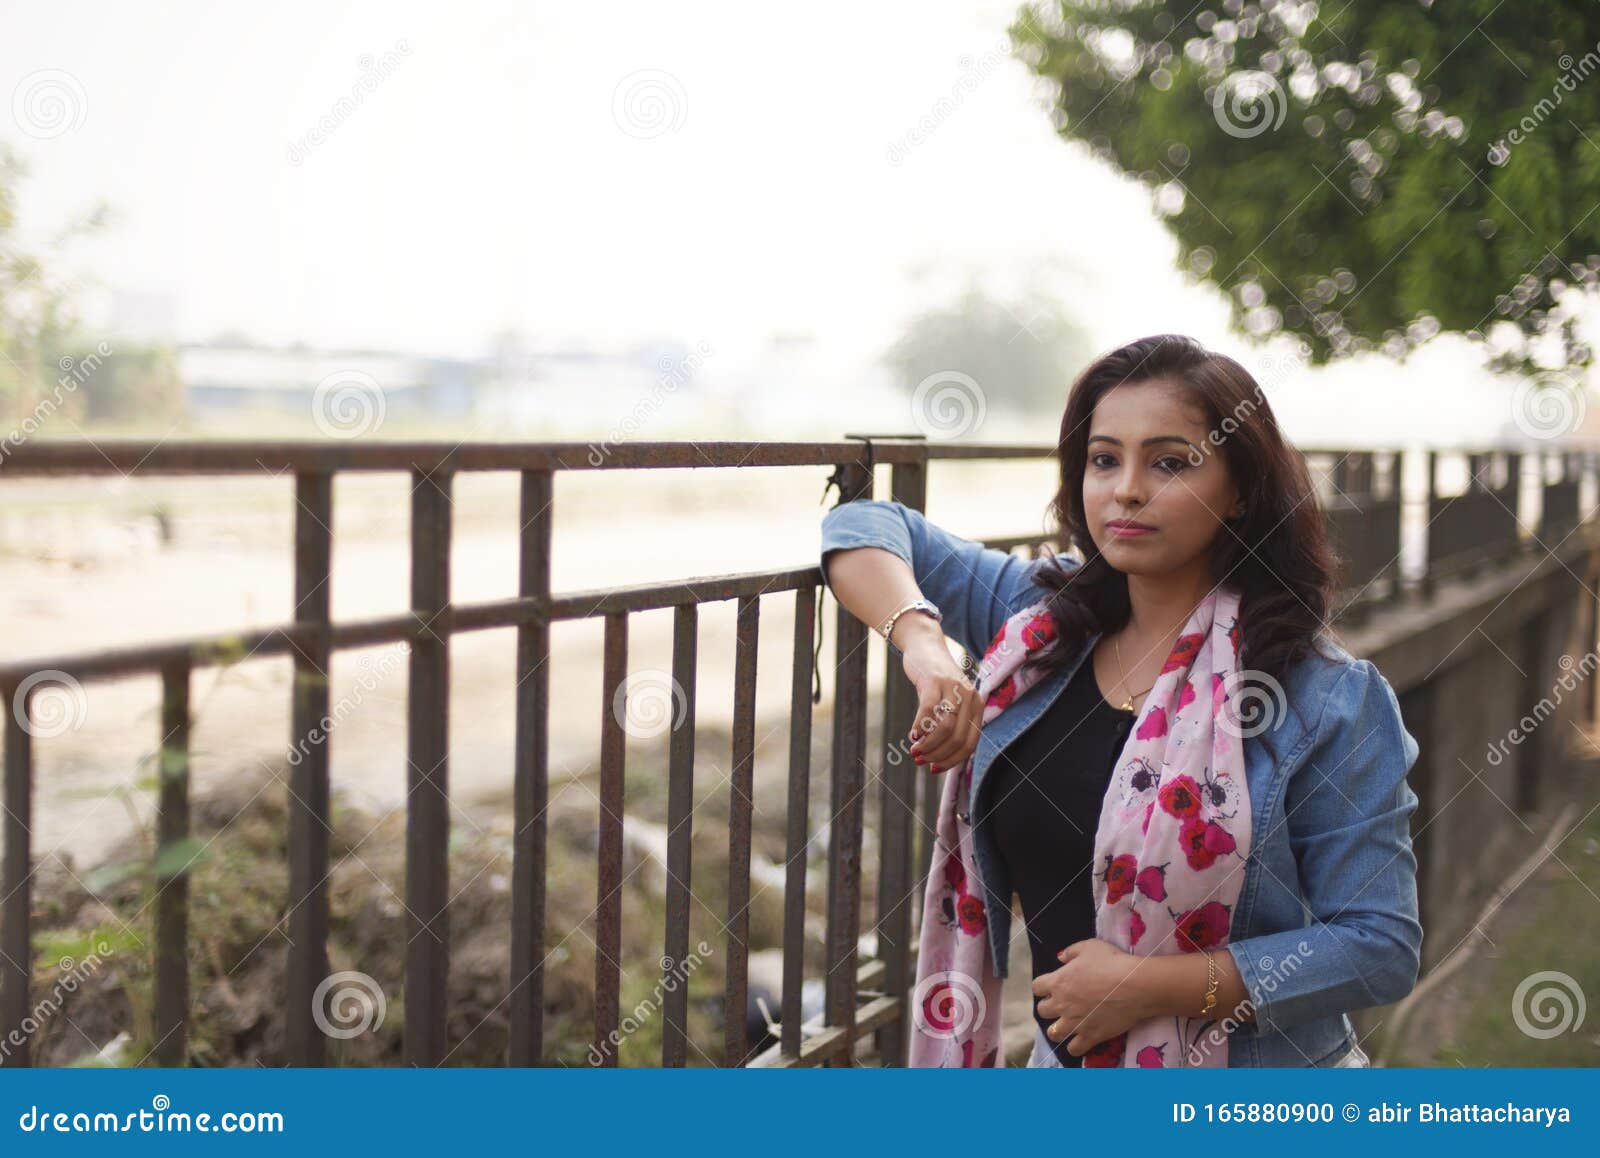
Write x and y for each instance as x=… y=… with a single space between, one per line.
x=1145 y=442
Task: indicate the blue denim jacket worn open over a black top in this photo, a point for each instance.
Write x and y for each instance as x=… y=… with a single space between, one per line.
x=1327 y=919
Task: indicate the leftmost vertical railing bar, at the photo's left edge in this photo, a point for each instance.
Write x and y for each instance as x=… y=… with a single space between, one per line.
x=17 y=940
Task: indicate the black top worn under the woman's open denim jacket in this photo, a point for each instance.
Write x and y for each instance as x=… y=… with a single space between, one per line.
x=1049 y=786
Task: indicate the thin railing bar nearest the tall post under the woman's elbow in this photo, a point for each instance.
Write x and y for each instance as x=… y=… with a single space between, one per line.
x=798 y=844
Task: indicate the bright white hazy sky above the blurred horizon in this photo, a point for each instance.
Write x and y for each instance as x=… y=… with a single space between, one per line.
x=594 y=174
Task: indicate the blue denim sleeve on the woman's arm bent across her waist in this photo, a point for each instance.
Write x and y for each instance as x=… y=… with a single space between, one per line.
x=1348 y=809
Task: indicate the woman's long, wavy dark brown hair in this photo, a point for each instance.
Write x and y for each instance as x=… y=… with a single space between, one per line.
x=1279 y=554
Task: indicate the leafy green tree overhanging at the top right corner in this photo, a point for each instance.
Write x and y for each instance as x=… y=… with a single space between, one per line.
x=1361 y=174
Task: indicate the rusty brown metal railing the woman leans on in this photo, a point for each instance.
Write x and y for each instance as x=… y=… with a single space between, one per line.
x=1364 y=517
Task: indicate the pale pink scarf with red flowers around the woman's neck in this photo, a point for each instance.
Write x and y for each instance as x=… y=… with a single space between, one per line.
x=1169 y=852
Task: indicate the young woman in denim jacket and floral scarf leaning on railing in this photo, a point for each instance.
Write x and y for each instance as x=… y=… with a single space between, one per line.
x=1198 y=794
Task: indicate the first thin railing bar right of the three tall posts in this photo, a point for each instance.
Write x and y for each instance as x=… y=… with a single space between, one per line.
x=609 y=908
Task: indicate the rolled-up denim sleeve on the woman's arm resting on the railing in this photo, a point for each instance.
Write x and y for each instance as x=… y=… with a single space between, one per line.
x=975 y=588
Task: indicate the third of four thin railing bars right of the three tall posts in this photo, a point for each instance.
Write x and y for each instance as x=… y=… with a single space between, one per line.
x=740 y=809
